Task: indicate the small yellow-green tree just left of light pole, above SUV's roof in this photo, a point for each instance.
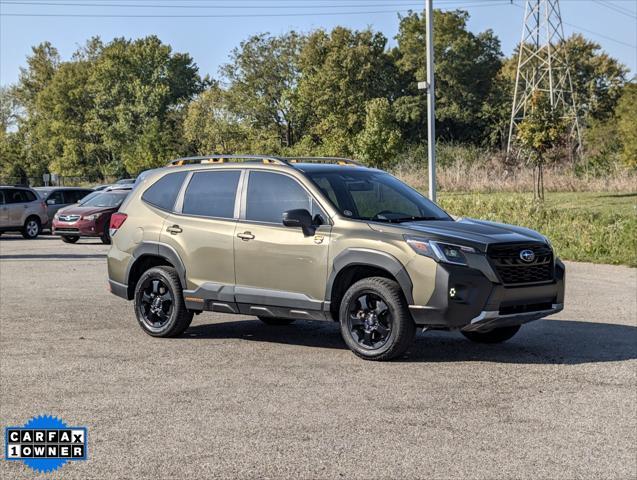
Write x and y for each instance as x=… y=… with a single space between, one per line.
x=379 y=142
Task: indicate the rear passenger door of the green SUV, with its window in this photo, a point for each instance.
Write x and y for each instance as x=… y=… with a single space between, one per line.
x=201 y=230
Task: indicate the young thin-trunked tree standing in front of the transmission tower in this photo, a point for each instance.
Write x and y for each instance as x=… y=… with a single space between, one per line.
x=542 y=129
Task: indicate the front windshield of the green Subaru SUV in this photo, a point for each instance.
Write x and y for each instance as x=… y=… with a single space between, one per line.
x=375 y=195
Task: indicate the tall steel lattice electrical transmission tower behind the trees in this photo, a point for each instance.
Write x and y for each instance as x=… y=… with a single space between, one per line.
x=543 y=67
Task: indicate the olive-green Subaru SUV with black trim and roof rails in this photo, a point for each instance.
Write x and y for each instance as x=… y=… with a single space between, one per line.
x=322 y=239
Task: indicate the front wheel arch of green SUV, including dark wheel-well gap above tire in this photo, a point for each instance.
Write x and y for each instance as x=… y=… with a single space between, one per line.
x=355 y=264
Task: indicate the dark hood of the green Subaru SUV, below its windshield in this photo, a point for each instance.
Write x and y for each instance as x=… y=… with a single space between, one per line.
x=467 y=231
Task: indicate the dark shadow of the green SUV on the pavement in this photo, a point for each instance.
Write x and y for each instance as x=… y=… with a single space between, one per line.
x=549 y=342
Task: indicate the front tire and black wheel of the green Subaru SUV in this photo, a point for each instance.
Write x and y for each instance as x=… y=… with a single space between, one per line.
x=375 y=321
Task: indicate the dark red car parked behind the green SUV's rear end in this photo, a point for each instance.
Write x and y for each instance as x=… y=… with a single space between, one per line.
x=88 y=219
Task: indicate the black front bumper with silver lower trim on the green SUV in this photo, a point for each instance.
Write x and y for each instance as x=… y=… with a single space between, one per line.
x=464 y=298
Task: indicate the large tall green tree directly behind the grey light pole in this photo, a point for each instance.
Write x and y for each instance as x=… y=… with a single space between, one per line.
x=469 y=99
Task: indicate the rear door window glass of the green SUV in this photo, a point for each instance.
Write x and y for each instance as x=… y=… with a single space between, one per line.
x=212 y=194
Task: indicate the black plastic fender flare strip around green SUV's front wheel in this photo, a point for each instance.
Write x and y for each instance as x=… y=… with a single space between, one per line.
x=371 y=258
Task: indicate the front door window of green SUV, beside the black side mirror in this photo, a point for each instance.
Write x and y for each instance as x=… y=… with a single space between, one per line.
x=271 y=194
